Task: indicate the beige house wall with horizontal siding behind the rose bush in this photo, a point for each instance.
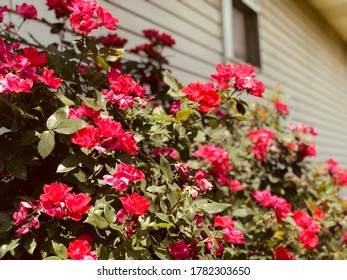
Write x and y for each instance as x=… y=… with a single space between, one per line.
x=298 y=50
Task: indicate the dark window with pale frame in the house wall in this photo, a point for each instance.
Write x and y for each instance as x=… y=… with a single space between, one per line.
x=241 y=36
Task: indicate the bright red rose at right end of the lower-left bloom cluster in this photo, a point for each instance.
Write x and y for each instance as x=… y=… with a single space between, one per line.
x=77 y=205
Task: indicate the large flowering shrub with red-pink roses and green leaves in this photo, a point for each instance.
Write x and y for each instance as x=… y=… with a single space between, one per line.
x=107 y=158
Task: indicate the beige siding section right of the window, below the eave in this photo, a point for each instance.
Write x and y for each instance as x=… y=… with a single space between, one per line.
x=310 y=61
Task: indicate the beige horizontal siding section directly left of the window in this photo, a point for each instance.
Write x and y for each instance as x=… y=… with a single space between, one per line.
x=198 y=38
